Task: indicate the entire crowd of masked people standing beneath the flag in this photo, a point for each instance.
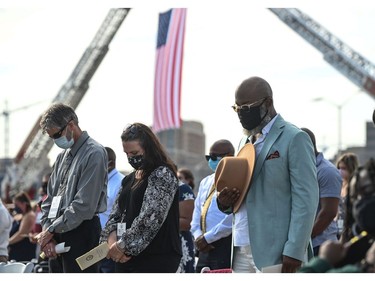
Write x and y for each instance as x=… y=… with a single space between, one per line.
x=292 y=210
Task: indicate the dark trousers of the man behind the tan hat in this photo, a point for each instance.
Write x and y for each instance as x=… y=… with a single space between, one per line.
x=218 y=258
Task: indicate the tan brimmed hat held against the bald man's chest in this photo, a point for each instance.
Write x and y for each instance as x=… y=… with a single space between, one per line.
x=236 y=171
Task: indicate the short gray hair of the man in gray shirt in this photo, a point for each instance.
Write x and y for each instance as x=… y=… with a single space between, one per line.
x=57 y=116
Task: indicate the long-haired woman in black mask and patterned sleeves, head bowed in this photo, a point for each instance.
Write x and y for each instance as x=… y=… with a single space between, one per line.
x=143 y=227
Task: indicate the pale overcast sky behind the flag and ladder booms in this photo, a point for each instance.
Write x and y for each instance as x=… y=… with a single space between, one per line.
x=40 y=47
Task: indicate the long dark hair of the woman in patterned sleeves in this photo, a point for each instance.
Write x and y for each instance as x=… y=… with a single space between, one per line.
x=154 y=153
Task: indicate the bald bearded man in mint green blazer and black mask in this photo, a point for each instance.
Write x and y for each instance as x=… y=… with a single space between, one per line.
x=274 y=222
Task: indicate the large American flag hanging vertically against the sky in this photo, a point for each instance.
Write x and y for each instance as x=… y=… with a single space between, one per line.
x=168 y=70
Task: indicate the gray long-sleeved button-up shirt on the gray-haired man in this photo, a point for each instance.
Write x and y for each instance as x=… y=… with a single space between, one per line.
x=85 y=190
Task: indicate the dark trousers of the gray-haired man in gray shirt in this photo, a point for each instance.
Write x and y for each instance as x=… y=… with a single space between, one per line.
x=80 y=240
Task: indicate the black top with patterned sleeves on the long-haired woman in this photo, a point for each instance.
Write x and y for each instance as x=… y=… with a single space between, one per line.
x=150 y=210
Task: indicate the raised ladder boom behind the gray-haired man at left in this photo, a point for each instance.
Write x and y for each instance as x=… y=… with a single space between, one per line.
x=27 y=165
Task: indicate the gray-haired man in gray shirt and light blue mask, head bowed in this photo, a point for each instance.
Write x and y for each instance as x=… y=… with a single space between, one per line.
x=76 y=190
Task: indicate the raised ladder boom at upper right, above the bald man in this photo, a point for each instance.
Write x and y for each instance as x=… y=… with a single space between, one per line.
x=350 y=63
